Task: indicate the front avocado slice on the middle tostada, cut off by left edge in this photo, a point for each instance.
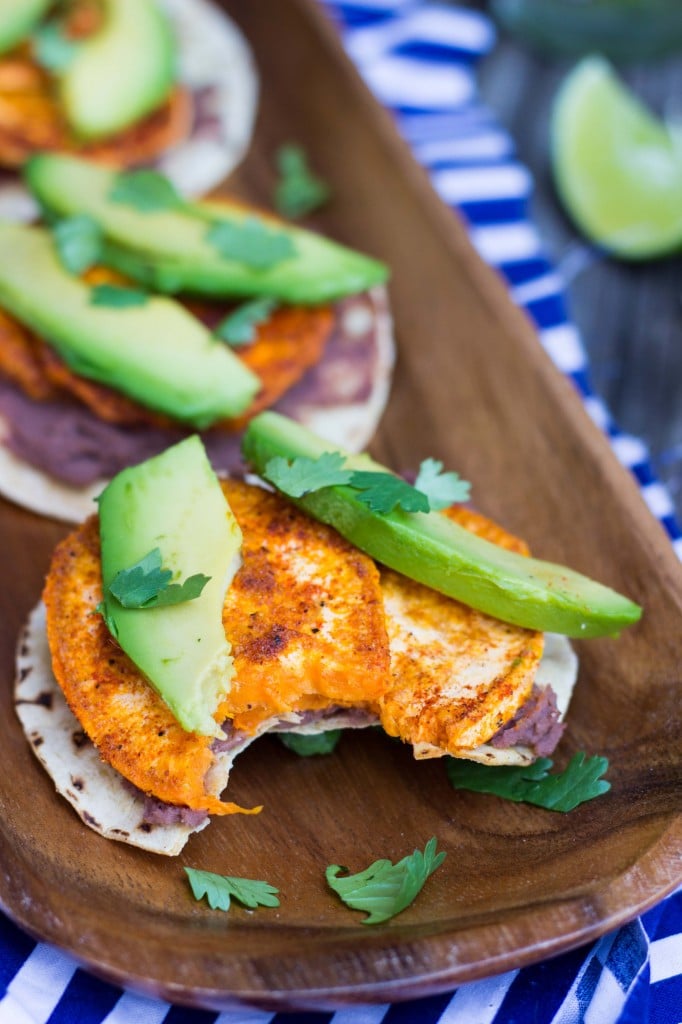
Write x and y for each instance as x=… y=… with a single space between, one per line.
x=157 y=354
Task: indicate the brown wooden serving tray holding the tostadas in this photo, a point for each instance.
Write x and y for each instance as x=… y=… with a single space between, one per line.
x=474 y=389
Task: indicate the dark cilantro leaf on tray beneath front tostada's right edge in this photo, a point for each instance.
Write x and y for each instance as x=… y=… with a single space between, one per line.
x=532 y=785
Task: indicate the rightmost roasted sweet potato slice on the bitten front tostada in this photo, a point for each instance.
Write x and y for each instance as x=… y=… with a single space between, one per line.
x=458 y=675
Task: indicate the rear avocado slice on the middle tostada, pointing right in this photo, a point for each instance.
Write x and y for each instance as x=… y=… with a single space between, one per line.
x=170 y=251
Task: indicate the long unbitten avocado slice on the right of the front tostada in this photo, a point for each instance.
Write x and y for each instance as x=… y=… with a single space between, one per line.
x=436 y=551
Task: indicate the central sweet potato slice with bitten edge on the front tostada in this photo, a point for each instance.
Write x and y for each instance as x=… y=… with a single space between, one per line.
x=305 y=616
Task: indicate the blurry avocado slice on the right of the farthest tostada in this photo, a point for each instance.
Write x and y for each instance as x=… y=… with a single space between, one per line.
x=121 y=73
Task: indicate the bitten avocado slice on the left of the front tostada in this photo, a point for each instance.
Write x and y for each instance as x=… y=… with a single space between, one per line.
x=175 y=502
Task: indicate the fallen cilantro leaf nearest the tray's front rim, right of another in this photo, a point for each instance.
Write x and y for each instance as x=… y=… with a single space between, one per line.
x=383 y=889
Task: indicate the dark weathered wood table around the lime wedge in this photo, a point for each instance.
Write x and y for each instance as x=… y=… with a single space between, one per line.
x=630 y=315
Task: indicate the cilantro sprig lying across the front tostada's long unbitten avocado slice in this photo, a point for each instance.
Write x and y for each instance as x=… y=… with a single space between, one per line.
x=381 y=492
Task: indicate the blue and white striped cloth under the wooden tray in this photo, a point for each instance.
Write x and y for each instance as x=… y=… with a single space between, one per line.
x=419 y=59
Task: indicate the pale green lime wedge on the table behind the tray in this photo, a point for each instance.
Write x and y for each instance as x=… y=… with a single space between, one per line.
x=617 y=168
